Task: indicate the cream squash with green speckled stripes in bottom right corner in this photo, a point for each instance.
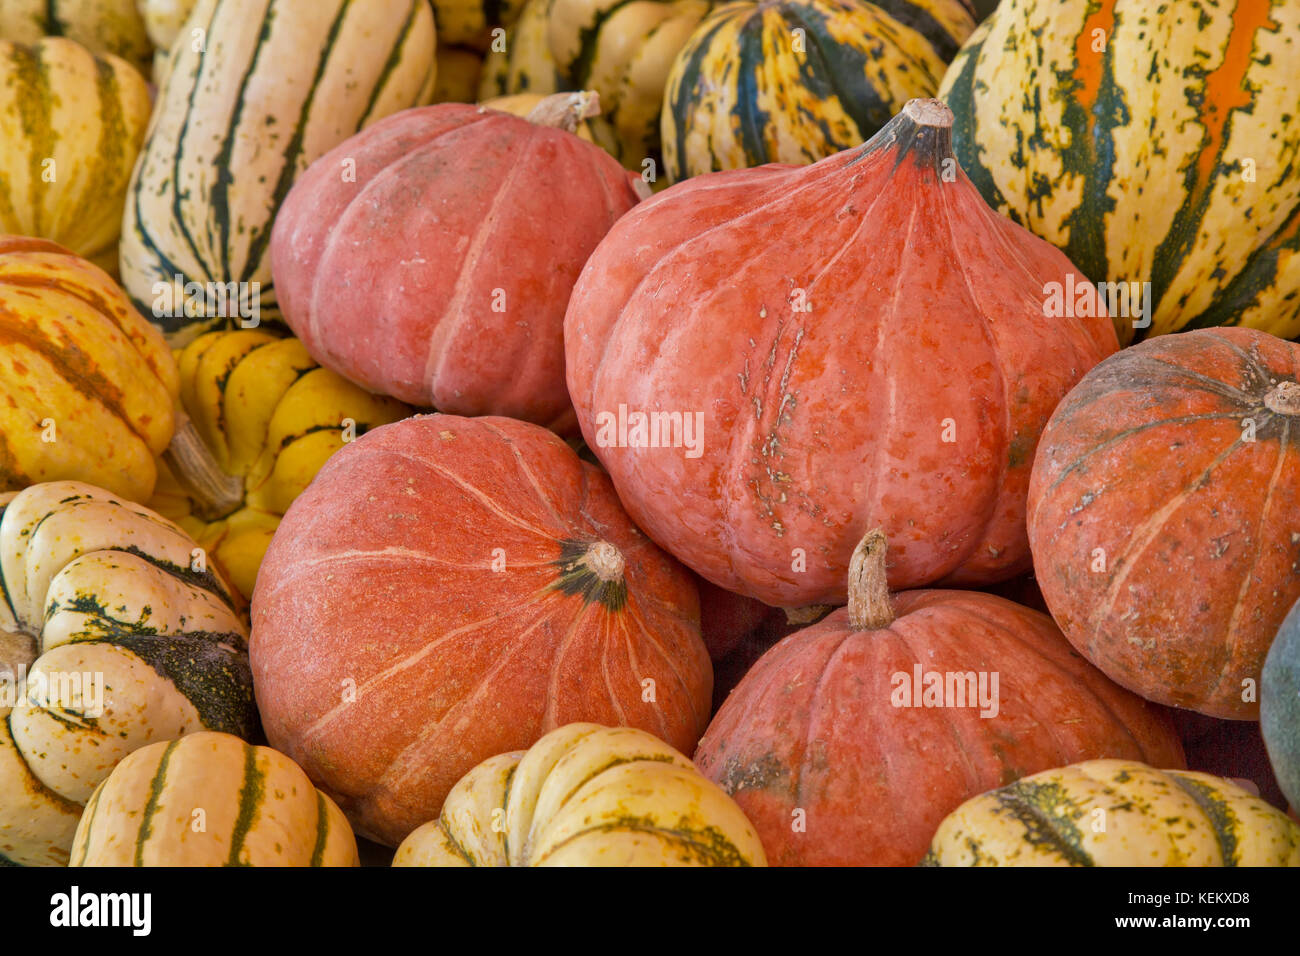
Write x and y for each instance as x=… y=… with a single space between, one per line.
x=1116 y=814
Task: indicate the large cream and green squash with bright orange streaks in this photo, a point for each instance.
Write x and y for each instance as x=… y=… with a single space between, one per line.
x=1151 y=144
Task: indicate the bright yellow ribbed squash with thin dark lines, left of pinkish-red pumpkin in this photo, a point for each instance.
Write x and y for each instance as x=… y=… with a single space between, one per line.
x=271 y=418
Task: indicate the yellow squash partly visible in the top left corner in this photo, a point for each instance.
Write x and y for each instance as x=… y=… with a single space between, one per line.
x=102 y=27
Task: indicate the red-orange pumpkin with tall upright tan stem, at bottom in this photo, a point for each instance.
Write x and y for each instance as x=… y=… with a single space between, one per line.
x=844 y=750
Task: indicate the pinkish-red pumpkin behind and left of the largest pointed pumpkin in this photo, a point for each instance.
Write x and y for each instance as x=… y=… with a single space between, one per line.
x=456 y=301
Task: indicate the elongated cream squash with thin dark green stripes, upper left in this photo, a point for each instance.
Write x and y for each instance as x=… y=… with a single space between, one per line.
x=272 y=86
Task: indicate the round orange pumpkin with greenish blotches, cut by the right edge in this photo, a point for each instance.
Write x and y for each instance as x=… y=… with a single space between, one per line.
x=1164 y=512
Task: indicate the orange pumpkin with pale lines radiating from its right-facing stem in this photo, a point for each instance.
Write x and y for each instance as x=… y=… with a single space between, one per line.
x=449 y=590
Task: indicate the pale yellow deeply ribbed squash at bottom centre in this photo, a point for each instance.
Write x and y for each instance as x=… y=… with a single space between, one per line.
x=587 y=795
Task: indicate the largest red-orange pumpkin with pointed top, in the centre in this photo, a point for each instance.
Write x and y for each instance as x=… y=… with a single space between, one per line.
x=856 y=343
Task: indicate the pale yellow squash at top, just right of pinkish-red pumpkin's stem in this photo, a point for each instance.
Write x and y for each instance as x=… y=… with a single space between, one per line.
x=623 y=51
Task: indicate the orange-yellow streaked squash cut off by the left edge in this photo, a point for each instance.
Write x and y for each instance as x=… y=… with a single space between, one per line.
x=89 y=386
